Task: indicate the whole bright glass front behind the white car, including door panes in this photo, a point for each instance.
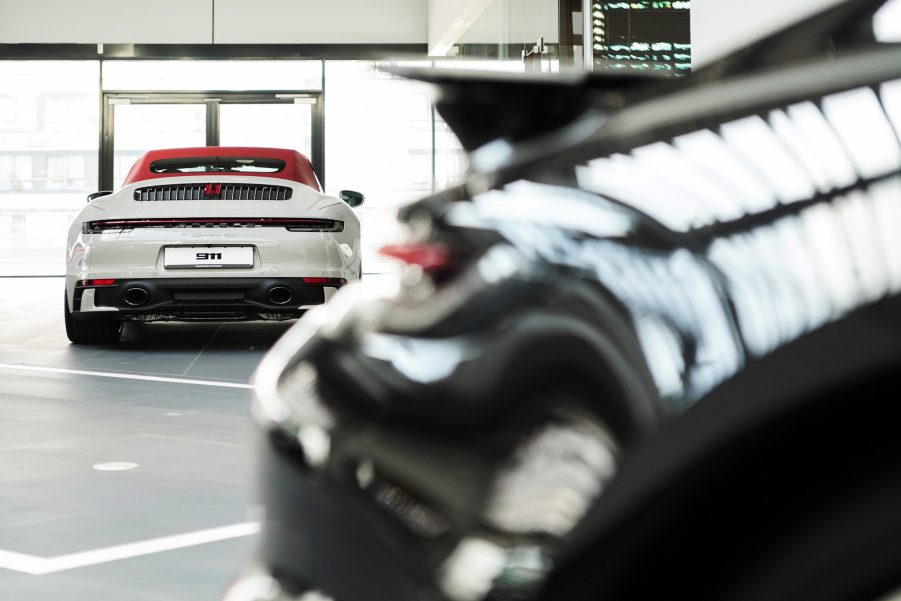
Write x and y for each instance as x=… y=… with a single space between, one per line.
x=382 y=137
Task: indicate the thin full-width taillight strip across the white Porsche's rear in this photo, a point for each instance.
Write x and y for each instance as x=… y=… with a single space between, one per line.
x=291 y=224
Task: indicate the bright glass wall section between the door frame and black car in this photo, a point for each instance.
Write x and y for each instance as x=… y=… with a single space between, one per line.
x=383 y=138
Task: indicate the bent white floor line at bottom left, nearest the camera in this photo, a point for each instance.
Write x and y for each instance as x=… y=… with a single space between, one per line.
x=31 y=564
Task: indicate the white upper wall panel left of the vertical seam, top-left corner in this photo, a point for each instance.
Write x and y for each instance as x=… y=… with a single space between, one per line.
x=109 y=21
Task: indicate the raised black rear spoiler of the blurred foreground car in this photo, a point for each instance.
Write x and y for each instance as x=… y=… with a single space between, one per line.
x=480 y=106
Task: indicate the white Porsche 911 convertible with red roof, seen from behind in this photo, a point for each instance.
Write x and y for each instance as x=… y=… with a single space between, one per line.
x=208 y=233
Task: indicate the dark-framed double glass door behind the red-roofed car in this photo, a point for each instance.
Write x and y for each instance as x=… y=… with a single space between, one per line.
x=136 y=123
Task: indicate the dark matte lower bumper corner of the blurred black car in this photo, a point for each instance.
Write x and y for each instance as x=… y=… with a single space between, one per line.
x=328 y=537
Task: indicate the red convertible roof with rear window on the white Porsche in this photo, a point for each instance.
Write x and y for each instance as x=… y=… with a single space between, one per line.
x=224 y=160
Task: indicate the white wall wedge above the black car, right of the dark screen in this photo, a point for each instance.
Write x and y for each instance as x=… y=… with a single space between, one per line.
x=721 y=26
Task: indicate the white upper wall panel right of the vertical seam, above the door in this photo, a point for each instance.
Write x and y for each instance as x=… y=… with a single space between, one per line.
x=321 y=21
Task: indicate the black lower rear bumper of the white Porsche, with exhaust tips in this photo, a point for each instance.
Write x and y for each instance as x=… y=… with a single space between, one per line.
x=176 y=298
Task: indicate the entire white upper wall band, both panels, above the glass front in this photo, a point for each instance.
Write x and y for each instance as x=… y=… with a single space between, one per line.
x=236 y=21
